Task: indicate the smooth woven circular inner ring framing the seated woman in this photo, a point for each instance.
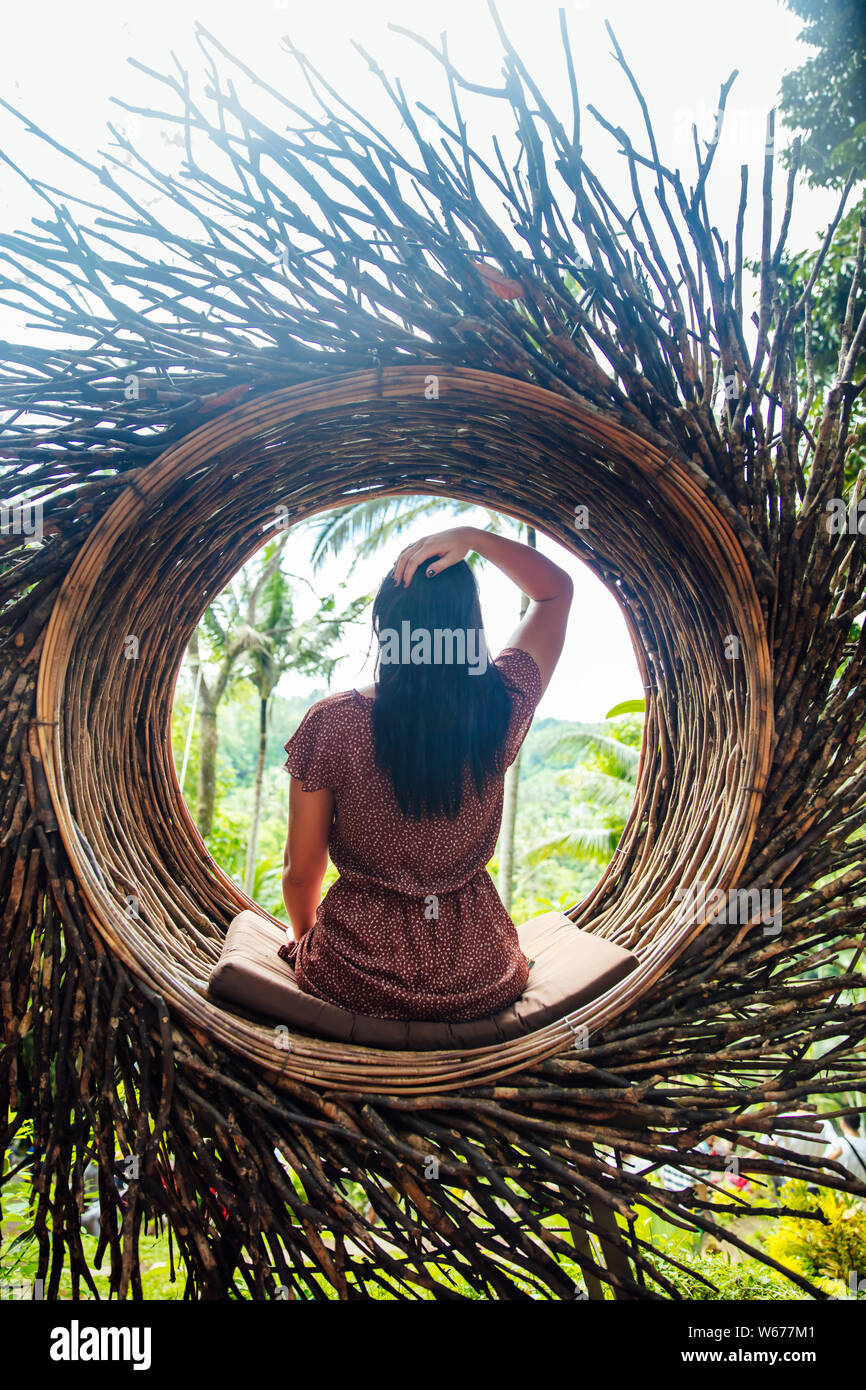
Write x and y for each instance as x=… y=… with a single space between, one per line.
x=194 y=516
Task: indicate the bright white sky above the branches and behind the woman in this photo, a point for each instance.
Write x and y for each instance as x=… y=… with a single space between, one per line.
x=60 y=65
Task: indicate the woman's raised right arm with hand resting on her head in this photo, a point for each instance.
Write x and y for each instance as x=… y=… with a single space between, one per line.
x=550 y=589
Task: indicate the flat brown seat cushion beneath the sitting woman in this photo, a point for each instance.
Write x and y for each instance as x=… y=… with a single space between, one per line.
x=572 y=967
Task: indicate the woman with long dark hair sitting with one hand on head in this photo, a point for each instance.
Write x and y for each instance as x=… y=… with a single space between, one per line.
x=402 y=783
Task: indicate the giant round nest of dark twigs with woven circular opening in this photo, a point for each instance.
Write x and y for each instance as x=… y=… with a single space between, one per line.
x=347 y=319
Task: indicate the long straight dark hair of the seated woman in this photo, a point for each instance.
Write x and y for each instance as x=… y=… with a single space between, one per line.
x=433 y=719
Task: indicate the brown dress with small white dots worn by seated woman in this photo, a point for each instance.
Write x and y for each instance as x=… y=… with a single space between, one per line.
x=414 y=928
